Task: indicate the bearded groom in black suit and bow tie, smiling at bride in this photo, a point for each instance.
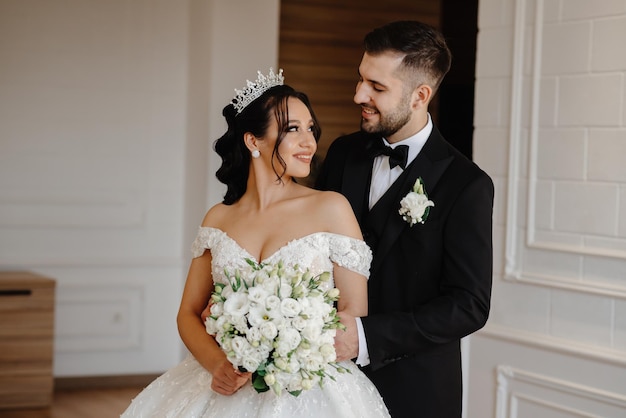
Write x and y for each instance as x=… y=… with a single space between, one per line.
x=430 y=282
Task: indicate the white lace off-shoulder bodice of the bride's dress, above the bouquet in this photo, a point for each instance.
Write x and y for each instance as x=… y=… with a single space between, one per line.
x=316 y=251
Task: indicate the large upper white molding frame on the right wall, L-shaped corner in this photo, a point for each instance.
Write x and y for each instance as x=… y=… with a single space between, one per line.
x=514 y=270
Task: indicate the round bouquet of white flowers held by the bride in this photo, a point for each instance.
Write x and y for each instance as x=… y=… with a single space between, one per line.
x=277 y=322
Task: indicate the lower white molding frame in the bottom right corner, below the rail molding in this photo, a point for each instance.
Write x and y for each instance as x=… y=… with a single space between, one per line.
x=507 y=374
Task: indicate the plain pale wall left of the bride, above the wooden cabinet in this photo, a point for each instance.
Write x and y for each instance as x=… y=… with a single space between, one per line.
x=108 y=110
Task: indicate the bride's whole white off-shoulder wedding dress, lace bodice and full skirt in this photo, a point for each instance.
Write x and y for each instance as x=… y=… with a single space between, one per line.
x=185 y=390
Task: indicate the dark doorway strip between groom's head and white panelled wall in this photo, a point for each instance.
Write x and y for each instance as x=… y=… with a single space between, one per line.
x=459 y=24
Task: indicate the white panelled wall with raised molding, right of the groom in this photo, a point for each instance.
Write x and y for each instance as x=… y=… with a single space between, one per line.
x=551 y=129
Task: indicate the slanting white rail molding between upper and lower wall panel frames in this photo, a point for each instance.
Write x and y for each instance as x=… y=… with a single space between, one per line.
x=555 y=344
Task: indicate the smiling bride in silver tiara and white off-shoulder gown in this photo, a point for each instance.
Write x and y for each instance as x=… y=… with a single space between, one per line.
x=266 y=218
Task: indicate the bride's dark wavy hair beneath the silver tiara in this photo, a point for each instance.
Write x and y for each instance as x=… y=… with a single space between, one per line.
x=255 y=118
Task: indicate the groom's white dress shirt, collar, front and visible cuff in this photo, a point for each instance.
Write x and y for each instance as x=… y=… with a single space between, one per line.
x=382 y=178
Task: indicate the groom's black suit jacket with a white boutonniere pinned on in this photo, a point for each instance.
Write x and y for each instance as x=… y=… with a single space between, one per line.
x=430 y=284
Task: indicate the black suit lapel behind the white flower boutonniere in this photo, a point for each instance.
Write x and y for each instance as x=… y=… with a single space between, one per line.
x=430 y=164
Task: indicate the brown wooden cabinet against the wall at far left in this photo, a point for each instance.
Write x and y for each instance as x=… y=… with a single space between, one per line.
x=26 y=339
